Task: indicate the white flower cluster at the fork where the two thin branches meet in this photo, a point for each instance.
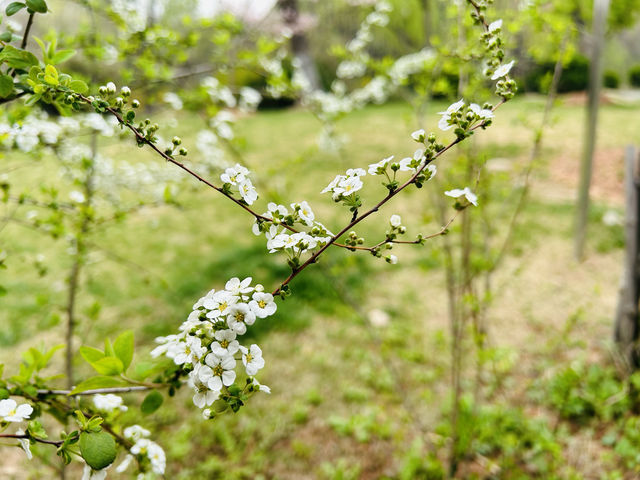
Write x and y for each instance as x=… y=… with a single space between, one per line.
x=280 y=239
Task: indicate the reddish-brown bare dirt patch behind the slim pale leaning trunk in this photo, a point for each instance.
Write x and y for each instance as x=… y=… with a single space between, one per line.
x=607 y=182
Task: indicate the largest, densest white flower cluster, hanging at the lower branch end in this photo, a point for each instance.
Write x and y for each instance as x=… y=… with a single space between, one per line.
x=207 y=344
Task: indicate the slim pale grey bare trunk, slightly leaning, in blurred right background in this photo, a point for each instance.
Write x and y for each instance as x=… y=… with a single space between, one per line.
x=600 y=13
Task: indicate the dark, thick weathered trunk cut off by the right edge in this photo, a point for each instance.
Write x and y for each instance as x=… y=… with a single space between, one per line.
x=626 y=326
